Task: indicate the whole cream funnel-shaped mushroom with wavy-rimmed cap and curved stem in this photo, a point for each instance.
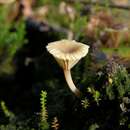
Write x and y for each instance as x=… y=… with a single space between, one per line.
x=67 y=53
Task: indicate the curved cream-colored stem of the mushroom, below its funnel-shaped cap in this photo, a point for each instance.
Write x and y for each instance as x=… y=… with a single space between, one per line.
x=70 y=83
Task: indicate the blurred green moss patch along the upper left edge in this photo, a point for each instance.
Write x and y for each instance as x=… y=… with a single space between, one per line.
x=12 y=38
